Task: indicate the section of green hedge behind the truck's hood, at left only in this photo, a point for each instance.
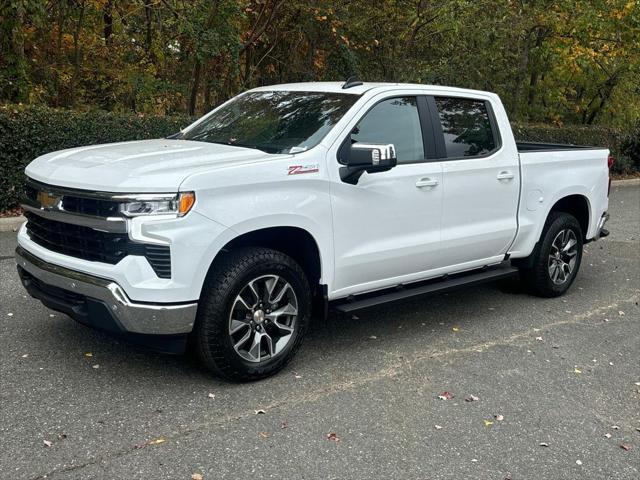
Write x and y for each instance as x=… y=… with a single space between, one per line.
x=27 y=132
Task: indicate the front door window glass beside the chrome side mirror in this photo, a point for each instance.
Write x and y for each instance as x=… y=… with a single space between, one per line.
x=393 y=121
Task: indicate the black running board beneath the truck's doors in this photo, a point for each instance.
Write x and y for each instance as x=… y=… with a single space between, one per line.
x=441 y=285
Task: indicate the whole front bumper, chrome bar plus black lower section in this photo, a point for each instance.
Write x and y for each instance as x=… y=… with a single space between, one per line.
x=100 y=302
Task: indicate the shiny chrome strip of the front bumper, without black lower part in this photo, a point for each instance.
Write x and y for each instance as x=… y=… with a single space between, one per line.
x=155 y=319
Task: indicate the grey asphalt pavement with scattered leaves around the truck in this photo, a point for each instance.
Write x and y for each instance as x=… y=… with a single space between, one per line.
x=553 y=379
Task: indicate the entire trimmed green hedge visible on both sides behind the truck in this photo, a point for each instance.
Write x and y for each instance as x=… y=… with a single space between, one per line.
x=27 y=132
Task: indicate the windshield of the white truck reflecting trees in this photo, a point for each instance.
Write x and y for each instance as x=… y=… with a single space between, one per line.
x=275 y=122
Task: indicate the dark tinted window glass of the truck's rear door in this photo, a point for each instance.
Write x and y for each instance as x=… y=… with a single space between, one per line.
x=466 y=127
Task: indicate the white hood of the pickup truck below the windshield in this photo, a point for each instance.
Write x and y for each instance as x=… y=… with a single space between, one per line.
x=141 y=166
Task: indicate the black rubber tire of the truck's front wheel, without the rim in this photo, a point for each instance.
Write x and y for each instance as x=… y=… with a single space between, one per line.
x=225 y=281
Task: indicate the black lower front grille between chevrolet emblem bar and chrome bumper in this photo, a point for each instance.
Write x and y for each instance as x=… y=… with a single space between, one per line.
x=89 y=244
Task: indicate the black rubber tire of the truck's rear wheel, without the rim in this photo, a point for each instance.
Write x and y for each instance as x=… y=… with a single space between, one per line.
x=538 y=278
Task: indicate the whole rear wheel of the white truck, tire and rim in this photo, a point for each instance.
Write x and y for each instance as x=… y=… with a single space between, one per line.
x=556 y=259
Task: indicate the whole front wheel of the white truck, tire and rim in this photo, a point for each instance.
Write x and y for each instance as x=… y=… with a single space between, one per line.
x=253 y=314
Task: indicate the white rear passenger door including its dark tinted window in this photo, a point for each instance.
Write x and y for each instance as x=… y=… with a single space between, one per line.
x=480 y=182
